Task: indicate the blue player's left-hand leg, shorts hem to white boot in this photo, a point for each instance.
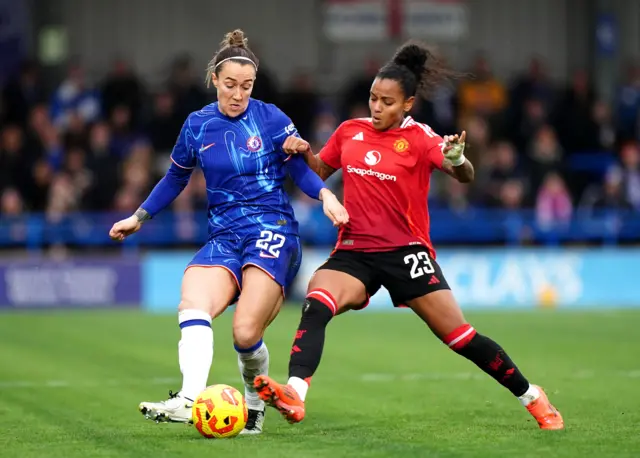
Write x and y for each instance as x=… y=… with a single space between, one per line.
x=208 y=287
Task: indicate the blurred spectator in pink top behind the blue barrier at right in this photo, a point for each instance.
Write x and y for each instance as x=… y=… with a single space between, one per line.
x=554 y=207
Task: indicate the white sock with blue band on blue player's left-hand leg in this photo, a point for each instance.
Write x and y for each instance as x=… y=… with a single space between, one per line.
x=195 y=351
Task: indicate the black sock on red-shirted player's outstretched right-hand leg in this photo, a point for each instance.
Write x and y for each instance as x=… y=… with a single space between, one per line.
x=491 y=358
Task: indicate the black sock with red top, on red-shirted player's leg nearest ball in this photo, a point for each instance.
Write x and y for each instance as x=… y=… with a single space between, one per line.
x=309 y=341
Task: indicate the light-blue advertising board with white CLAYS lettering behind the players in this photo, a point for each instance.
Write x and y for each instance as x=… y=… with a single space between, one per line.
x=495 y=278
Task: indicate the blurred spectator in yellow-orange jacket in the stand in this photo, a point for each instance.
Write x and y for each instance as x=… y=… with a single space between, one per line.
x=483 y=95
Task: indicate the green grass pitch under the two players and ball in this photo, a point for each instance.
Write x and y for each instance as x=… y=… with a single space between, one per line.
x=70 y=383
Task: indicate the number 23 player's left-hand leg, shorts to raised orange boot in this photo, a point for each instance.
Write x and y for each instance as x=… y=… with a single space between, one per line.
x=330 y=292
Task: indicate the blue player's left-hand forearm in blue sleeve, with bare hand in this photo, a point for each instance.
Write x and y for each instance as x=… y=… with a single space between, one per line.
x=161 y=197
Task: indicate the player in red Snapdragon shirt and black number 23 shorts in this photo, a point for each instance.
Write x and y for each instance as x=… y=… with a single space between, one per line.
x=387 y=161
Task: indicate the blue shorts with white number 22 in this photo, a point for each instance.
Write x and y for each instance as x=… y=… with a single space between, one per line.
x=278 y=255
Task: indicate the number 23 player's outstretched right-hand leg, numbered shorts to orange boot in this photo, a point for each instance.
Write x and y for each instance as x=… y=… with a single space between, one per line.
x=425 y=290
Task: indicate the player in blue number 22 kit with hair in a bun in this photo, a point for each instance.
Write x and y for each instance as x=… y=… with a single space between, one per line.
x=253 y=252
